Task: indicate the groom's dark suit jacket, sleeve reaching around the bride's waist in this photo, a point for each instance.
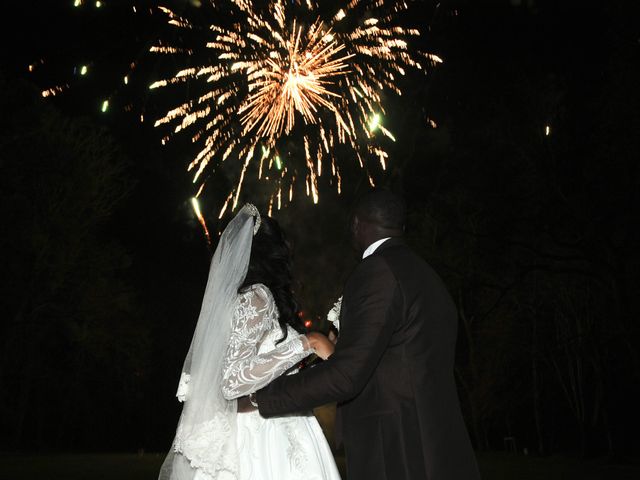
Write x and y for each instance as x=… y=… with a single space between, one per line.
x=391 y=374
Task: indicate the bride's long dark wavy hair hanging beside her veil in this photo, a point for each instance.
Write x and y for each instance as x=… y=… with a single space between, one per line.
x=270 y=264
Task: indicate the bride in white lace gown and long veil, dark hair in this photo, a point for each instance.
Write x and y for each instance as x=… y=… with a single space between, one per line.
x=247 y=334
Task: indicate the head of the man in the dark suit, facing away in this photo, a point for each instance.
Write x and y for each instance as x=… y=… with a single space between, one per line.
x=377 y=214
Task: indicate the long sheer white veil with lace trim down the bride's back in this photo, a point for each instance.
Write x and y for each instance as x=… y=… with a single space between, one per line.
x=205 y=439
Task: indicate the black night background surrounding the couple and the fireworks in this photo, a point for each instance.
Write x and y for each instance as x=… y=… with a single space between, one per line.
x=524 y=197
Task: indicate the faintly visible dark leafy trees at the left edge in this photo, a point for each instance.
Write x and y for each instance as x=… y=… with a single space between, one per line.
x=67 y=338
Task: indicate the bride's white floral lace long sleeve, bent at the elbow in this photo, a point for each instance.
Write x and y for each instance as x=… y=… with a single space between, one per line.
x=245 y=370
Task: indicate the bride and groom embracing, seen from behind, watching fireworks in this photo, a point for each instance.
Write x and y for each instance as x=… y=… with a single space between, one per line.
x=247 y=412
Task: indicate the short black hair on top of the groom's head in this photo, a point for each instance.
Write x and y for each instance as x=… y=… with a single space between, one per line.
x=383 y=208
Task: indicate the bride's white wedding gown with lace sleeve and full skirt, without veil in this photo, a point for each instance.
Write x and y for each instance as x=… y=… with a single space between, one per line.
x=292 y=447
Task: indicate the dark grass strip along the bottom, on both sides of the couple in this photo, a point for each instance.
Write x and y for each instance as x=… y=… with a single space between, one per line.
x=494 y=466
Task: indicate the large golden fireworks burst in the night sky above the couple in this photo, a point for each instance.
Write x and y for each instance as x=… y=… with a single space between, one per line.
x=291 y=71
